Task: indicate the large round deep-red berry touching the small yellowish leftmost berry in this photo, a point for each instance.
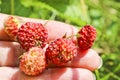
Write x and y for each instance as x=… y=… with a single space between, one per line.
x=32 y=34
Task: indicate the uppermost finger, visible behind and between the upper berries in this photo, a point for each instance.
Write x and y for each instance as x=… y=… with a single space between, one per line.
x=55 y=29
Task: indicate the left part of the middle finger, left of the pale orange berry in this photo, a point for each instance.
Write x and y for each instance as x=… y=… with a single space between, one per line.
x=9 y=53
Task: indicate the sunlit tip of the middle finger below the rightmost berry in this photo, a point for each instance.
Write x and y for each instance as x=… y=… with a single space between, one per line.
x=91 y=60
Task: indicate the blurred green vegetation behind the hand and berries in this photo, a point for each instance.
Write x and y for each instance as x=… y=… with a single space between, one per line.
x=103 y=14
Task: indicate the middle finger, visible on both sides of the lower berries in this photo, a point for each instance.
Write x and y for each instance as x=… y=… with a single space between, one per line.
x=10 y=52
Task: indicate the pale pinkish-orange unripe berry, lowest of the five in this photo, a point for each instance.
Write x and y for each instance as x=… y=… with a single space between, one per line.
x=33 y=62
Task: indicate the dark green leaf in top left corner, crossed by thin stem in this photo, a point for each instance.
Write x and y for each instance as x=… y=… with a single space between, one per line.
x=19 y=9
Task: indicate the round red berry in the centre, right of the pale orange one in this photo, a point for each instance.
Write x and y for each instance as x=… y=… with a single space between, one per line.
x=61 y=51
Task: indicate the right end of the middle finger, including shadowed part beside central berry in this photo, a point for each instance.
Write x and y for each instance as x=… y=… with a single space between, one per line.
x=88 y=59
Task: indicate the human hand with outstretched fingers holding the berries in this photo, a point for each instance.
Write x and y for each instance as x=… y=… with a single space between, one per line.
x=79 y=69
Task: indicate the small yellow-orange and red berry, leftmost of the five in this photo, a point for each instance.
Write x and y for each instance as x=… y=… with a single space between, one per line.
x=11 y=26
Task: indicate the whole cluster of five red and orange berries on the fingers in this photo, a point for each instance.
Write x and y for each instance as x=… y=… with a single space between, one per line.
x=39 y=52
